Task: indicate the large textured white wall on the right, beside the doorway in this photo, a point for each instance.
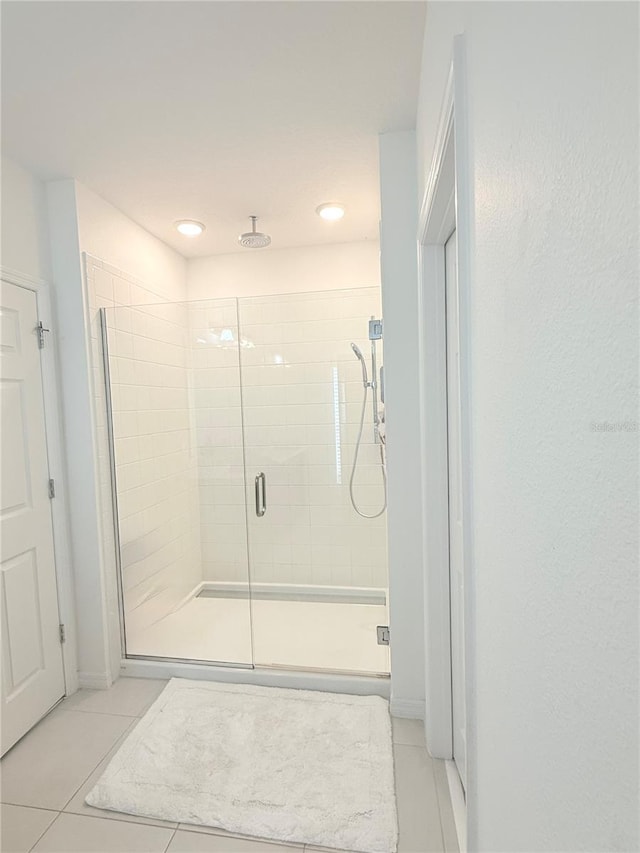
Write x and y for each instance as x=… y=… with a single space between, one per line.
x=553 y=113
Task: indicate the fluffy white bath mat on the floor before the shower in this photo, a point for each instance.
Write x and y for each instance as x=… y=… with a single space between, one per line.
x=289 y=765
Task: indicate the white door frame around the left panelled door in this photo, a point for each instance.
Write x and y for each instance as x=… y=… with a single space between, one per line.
x=55 y=454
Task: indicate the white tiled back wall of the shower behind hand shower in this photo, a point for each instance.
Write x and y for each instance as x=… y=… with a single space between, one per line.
x=298 y=404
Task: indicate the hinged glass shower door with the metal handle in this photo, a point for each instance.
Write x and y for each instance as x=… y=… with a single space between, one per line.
x=318 y=569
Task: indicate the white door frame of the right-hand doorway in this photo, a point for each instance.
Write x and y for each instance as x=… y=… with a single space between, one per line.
x=446 y=204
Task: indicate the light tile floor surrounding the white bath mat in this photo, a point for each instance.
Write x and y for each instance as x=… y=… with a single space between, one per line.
x=46 y=776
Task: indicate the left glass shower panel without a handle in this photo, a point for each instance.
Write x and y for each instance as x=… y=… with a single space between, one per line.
x=173 y=381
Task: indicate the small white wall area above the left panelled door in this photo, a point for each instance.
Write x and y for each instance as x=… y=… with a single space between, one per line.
x=25 y=231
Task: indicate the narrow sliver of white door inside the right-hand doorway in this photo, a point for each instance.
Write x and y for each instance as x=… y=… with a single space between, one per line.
x=456 y=563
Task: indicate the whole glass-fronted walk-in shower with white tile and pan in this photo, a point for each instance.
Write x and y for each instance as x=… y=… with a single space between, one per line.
x=242 y=537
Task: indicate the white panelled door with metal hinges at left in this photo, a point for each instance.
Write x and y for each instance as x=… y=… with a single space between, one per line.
x=32 y=673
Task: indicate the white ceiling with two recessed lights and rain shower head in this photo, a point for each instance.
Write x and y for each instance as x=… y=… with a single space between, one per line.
x=213 y=110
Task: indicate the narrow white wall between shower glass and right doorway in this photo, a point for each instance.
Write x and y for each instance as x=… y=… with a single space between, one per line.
x=398 y=196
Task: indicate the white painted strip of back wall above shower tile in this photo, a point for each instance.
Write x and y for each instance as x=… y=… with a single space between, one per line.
x=262 y=272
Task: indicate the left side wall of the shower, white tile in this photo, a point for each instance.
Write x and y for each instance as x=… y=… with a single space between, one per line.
x=155 y=469
